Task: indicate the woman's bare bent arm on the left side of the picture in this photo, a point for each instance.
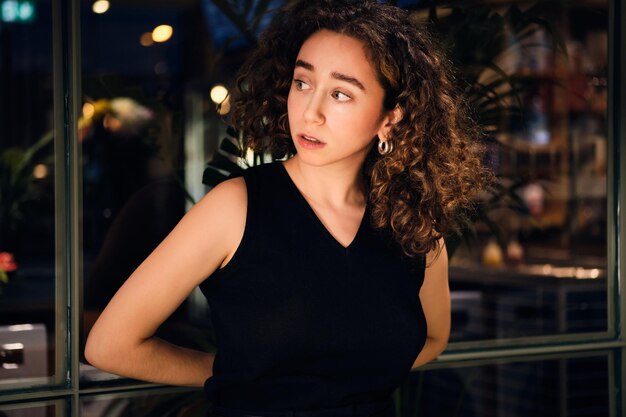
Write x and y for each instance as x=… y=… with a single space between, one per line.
x=122 y=341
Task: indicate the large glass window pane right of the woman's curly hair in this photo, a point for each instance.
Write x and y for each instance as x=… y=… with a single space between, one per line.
x=536 y=264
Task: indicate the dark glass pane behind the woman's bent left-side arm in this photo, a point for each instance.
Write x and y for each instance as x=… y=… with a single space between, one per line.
x=137 y=181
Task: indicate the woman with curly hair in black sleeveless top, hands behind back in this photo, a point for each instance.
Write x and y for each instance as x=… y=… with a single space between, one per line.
x=326 y=273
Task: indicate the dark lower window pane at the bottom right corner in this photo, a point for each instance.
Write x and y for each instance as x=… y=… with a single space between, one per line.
x=568 y=386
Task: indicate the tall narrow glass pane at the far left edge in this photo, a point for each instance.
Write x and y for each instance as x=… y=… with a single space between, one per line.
x=27 y=188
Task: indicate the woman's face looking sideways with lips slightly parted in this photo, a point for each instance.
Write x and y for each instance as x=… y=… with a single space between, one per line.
x=335 y=104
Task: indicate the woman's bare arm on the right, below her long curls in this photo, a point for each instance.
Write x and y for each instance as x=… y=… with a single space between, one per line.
x=435 y=298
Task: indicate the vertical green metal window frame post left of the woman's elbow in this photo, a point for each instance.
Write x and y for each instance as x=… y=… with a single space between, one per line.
x=67 y=99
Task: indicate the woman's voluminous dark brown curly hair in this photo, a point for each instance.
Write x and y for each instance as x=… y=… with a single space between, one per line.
x=435 y=170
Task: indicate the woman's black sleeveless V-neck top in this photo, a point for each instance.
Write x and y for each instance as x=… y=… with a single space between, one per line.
x=302 y=322
